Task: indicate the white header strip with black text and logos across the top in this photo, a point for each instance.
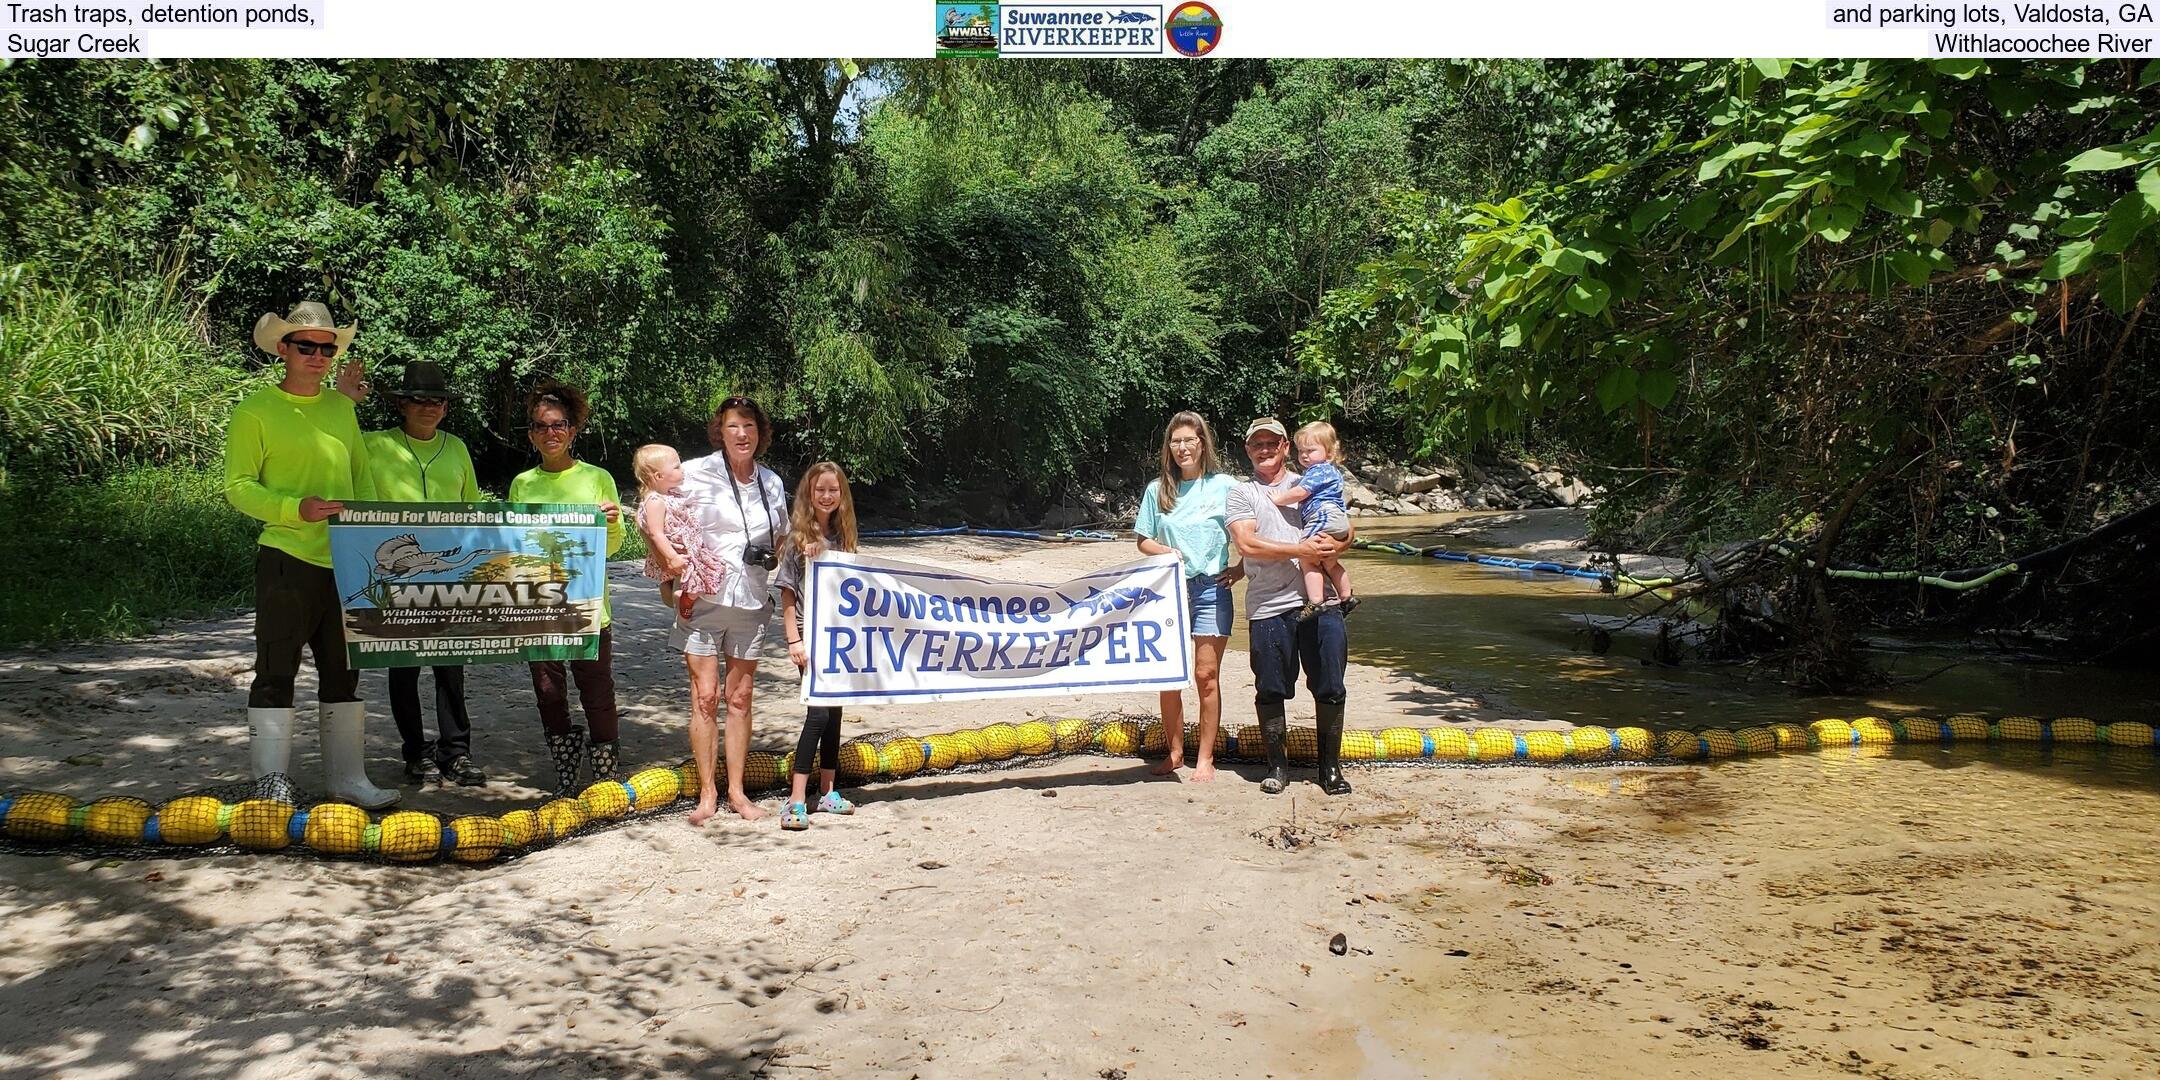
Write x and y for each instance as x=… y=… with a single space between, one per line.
x=900 y=29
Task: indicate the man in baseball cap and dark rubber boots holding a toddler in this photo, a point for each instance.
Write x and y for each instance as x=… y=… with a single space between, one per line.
x=1273 y=541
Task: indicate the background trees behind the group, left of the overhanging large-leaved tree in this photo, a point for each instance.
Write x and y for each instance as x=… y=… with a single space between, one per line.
x=923 y=269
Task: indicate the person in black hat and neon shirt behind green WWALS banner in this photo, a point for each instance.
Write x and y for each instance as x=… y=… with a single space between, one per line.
x=420 y=463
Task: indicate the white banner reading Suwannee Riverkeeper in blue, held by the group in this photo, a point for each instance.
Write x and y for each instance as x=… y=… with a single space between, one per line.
x=895 y=632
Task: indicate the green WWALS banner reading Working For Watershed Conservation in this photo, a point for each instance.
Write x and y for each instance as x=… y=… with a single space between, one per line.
x=470 y=582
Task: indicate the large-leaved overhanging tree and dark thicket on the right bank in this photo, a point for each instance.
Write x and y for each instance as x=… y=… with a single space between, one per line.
x=1803 y=282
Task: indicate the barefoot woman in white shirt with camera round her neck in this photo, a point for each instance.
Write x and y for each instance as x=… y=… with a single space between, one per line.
x=744 y=511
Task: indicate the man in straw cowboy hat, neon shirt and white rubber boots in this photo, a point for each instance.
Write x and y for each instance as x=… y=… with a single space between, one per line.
x=293 y=457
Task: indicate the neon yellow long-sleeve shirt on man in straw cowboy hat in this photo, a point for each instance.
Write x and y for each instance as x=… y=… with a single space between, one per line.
x=284 y=448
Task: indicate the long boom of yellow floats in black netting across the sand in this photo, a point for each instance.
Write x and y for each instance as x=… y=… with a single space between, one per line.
x=275 y=815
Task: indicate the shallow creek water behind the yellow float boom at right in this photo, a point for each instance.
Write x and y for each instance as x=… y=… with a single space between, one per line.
x=1522 y=645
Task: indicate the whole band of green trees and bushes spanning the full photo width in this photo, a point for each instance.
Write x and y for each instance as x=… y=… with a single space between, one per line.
x=1887 y=306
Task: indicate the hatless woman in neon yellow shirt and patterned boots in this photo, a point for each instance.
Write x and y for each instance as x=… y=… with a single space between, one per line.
x=554 y=416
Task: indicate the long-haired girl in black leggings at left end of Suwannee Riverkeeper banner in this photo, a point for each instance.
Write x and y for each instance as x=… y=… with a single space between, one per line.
x=824 y=522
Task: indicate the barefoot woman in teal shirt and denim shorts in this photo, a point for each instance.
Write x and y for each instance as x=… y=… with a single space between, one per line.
x=1183 y=513
